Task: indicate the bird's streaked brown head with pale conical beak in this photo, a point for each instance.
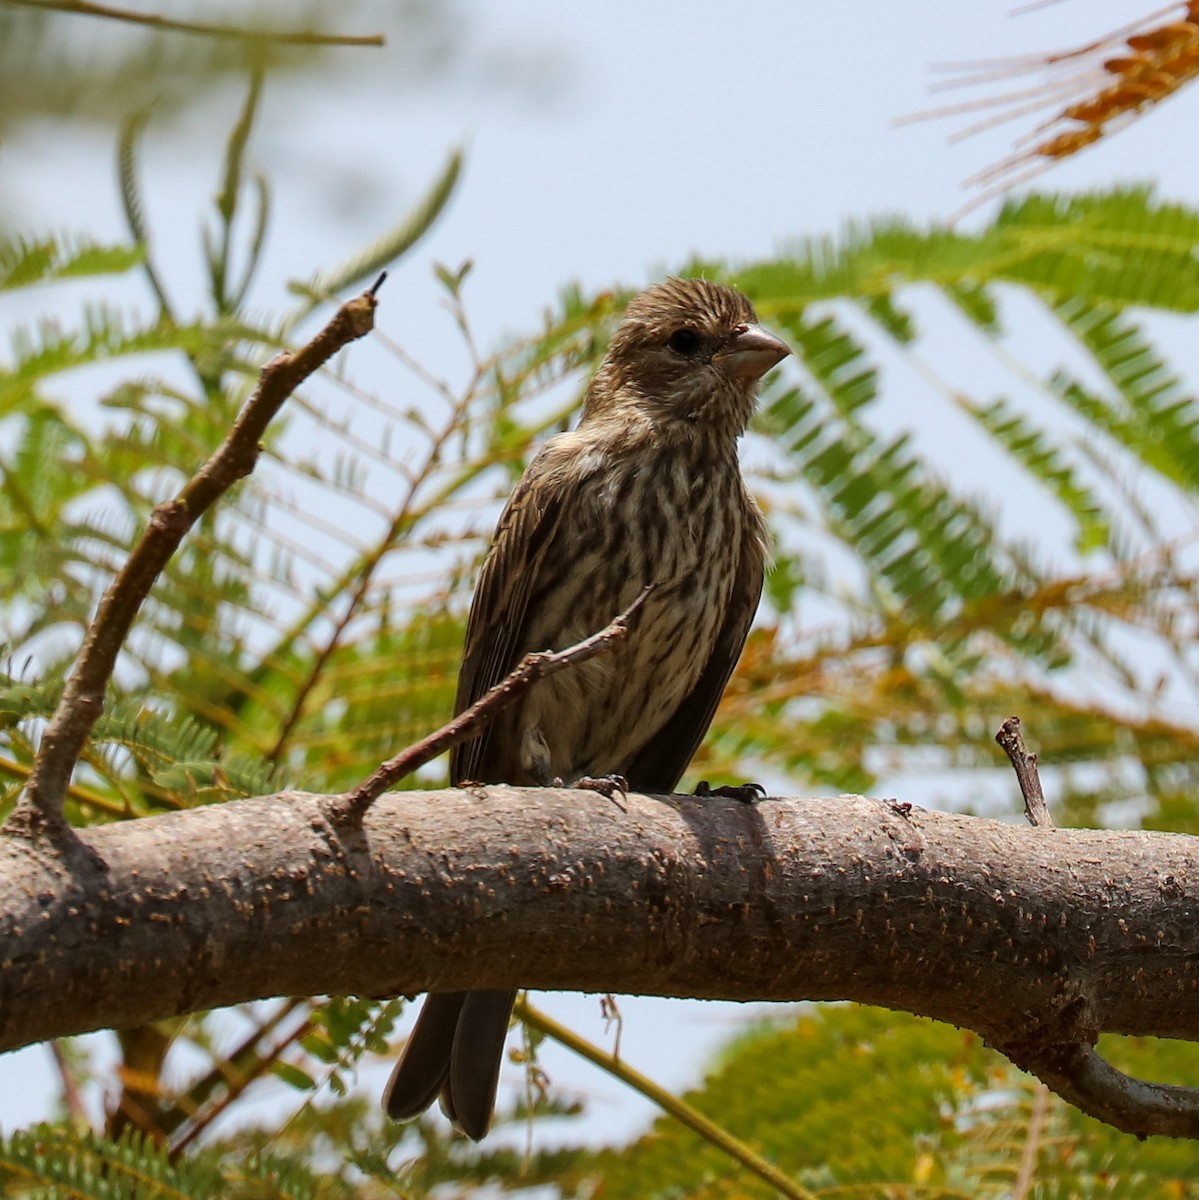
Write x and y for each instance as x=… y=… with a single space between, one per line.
x=688 y=355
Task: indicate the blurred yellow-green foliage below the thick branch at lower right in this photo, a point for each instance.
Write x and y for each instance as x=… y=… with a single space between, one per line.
x=856 y=1101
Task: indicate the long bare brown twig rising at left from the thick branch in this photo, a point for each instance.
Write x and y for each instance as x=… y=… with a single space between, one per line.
x=41 y=806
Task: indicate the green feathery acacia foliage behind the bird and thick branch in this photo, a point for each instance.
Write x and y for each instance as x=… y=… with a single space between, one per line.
x=906 y=616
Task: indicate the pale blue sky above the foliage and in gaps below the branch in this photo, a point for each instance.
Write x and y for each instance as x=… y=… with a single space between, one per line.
x=643 y=134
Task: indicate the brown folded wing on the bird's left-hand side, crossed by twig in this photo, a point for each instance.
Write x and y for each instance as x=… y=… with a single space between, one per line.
x=495 y=641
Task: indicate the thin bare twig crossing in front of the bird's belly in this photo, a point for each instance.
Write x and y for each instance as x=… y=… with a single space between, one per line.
x=352 y=807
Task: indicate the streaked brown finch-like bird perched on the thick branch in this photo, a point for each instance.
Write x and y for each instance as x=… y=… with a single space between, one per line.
x=646 y=490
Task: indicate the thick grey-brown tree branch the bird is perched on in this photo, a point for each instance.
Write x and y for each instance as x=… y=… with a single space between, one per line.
x=1039 y=944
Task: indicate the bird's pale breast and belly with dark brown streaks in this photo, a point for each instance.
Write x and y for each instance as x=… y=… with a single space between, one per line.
x=679 y=530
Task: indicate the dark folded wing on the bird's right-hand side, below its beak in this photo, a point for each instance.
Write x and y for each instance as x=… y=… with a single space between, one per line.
x=660 y=765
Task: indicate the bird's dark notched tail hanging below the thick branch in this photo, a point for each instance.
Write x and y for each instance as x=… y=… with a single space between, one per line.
x=455 y=1051
